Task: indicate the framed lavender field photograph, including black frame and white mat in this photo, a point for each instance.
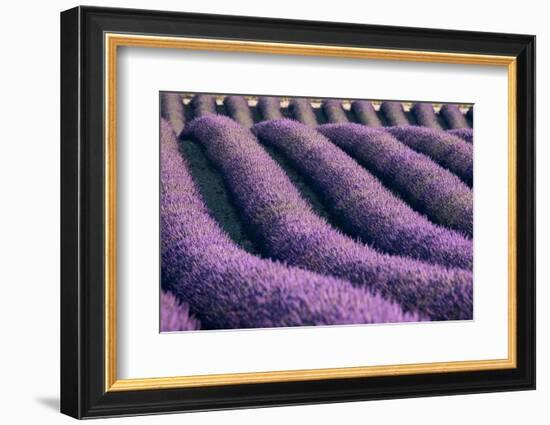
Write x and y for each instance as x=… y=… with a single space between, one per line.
x=261 y=212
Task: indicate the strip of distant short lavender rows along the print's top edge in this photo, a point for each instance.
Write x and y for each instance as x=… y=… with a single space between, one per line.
x=447 y=117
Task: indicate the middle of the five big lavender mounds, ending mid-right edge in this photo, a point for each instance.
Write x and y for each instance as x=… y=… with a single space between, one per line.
x=364 y=206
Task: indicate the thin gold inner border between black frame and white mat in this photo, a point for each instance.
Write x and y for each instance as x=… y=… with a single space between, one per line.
x=114 y=40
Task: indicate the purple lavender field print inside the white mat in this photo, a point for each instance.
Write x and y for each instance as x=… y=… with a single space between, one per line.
x=280 y=212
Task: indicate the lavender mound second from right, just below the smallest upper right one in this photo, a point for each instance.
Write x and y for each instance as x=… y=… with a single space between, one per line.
x=429 y=188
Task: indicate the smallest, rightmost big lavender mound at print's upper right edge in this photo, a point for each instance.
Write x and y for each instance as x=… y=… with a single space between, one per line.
x=447 y=150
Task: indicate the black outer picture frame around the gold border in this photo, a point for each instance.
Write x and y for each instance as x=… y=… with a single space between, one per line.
x=83 y=392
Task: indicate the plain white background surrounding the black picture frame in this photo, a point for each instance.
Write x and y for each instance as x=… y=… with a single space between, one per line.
x=29 y=217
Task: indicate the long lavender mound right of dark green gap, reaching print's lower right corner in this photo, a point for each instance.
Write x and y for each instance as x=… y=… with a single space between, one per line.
x=287 y=228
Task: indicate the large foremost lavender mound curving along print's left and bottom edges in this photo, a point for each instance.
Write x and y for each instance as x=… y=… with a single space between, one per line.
x=228 y=288
